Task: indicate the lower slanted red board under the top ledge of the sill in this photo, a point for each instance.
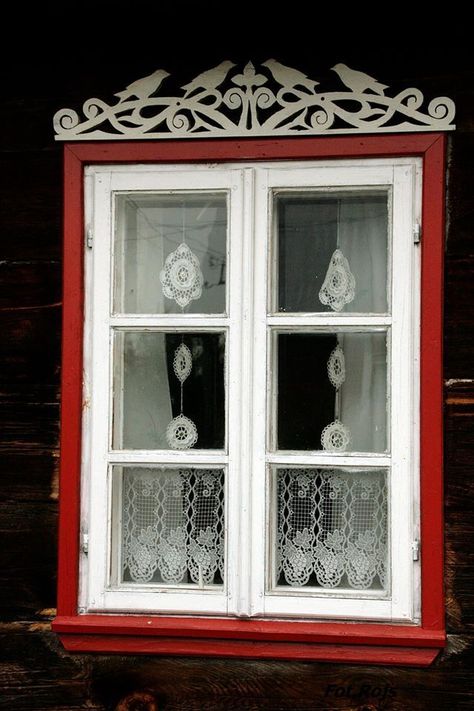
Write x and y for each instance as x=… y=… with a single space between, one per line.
x=257 y=650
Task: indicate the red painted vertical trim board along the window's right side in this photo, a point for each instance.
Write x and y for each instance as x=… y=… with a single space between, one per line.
x=431 y=386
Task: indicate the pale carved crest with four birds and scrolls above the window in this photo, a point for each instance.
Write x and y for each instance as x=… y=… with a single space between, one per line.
x=274 y=100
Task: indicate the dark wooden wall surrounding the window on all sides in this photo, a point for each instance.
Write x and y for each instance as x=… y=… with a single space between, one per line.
x=58 y=57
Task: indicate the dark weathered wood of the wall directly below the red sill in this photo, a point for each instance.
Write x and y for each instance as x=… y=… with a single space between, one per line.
x=38 y=675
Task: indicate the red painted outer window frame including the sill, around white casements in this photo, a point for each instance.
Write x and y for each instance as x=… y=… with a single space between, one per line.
x=339 y=641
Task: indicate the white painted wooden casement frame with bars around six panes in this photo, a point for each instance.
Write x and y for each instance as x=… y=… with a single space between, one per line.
x=249 y=186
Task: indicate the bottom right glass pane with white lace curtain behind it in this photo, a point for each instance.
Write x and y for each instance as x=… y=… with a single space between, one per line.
x=331 y=529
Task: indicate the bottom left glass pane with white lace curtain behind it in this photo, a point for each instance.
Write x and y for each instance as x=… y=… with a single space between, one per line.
x=172 y=525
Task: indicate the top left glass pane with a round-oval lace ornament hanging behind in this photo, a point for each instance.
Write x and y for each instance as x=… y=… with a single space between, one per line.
x=170 y=253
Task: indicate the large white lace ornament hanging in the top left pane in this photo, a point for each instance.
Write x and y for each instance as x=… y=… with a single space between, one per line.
x=181 y=276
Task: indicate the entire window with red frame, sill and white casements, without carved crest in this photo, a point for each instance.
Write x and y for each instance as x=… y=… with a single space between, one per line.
x=249 y=456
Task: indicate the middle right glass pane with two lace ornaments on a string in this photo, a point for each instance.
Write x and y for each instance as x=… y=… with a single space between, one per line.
x=331 y=391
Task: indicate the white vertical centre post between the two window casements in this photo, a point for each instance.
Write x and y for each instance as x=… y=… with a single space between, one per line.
x=254 y=285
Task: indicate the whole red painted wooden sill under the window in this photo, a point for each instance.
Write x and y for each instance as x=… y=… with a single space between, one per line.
x=299 y=641
